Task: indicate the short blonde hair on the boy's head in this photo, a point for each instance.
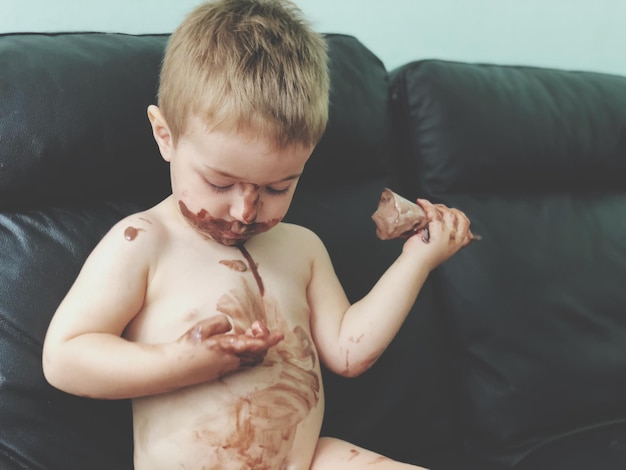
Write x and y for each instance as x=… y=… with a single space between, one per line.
x=251 y=65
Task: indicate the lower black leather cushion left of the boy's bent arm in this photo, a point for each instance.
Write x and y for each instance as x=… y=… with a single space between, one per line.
x=41 y=427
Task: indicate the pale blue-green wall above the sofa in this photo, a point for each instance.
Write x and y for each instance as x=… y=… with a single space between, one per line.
x=570 y=34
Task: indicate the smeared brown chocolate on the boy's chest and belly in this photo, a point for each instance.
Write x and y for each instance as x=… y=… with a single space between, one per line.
x=265 y=420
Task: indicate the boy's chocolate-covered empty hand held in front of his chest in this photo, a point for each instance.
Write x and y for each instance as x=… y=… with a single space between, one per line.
x=235 y=348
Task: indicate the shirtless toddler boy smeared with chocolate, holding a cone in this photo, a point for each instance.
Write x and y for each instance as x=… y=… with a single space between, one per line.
x=206 y=310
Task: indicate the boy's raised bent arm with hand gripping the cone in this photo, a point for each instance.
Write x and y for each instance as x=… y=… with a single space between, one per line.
x=350 y=338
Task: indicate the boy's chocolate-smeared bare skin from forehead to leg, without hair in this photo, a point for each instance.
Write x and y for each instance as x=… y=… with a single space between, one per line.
x=213 y=316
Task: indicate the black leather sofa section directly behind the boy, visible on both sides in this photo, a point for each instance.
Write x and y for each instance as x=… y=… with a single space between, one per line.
x=77 y=154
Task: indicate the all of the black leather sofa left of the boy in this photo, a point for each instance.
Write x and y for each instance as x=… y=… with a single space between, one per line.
x=75 y=156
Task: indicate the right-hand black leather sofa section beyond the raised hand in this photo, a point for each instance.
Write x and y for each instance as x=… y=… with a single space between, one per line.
x=536 y=310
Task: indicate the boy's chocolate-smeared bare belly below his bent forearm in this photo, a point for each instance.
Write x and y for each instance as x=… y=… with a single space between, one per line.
x=268 y=417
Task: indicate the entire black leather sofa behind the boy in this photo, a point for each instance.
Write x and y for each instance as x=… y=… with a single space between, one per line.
x=514 y=356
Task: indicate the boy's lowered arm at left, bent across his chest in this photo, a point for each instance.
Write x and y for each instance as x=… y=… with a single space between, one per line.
x=85 y=353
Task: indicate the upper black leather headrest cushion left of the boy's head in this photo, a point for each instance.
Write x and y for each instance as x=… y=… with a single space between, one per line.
x=74 y=124
